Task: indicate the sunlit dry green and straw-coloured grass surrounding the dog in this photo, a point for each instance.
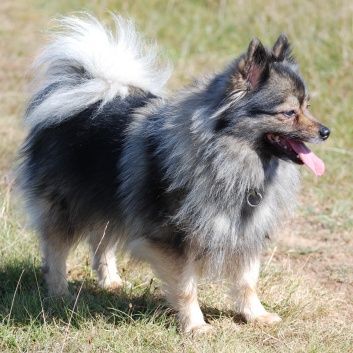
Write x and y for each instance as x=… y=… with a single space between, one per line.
x=307 y=273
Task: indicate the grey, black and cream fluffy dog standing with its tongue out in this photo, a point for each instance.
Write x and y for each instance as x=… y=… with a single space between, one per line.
x=192 y=183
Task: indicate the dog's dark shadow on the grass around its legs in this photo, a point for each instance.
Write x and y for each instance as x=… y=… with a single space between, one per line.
x=23 y=298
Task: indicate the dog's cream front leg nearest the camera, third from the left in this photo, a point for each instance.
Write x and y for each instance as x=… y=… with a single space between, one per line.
x=178 y=273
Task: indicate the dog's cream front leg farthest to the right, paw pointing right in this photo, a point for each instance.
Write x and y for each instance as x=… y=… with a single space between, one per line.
x=244 y=294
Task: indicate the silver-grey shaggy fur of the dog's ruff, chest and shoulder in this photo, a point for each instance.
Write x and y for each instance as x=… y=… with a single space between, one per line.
x=217 y=172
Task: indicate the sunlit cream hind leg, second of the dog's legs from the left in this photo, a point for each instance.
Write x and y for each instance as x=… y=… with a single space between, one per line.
x=103 y=248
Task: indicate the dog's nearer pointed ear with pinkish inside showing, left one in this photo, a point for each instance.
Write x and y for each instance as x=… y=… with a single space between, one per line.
x=254 y=65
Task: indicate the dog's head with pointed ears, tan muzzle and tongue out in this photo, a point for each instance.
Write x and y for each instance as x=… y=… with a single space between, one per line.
x=269 y=105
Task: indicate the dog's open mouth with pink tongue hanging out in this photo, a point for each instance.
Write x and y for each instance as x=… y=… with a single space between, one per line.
x=296 y=151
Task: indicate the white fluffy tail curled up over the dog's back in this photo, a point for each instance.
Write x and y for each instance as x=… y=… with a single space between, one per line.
x=88 y=63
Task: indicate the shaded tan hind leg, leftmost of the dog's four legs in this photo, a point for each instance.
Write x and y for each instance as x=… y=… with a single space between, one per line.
x=55 y=251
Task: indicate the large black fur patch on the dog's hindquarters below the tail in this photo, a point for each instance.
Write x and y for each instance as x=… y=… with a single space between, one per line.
x=73 y=165
